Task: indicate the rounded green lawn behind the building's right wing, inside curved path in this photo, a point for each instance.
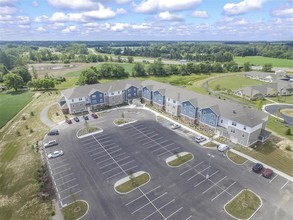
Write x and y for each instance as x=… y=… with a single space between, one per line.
x=232 y=82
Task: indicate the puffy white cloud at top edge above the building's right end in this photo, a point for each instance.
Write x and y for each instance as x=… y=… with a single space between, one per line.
x=243 y=7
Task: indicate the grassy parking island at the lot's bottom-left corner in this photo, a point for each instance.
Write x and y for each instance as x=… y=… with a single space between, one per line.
x=75 y=210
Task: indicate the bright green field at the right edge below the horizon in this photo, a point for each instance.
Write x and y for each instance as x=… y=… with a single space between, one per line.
x=260 y=61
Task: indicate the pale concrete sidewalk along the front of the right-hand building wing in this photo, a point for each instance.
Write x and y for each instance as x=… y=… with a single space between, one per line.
x=232 y=150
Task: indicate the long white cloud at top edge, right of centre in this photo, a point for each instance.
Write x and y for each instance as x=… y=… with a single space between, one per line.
x=151 y=6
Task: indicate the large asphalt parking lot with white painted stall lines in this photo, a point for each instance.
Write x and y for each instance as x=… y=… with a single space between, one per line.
x=90 y=167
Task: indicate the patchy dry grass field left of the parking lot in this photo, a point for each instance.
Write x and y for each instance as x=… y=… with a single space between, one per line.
x=19 y=163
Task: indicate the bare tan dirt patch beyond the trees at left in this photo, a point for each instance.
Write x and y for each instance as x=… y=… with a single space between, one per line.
x=58 y=69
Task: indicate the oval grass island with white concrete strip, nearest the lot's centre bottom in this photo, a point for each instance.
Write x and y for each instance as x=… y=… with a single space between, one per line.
x=131 y=182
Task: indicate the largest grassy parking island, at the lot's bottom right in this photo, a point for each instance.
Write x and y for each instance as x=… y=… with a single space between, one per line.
x=244 y=205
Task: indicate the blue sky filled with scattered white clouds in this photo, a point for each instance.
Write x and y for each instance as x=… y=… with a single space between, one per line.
x=164 y=20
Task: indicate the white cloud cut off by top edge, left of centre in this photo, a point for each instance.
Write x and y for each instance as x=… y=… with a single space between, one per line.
x=74 y=4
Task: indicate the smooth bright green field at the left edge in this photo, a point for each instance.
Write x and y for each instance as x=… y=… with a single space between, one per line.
x=11 y=103
